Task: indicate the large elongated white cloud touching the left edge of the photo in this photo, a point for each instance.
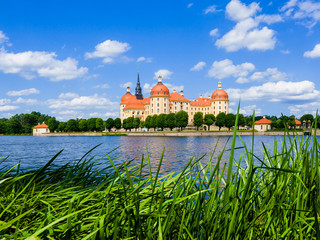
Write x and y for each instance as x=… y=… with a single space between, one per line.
x=44 y=64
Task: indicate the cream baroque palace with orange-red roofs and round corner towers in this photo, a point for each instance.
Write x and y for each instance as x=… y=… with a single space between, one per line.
x=162 y=101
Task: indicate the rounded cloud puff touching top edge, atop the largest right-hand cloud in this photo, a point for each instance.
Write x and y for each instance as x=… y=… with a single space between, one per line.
x=238 y=11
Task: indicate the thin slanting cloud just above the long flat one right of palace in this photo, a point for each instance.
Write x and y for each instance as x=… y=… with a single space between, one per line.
x=271 y=74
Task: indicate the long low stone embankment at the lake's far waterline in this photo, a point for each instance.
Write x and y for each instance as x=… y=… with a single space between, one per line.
x=170 y=134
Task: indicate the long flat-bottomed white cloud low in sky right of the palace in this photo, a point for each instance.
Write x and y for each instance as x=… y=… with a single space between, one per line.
x=277 y=92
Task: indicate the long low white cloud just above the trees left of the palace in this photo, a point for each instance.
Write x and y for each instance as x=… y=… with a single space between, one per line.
x=83 y=102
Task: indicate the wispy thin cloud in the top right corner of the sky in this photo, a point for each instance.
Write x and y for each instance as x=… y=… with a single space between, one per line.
x=306 y=11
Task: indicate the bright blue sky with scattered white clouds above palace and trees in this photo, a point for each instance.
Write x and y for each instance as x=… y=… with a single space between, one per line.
x=74 y=59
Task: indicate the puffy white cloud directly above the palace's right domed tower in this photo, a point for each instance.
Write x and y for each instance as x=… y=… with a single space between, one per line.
x=226 y=68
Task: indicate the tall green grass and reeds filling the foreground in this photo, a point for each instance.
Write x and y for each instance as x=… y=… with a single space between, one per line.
x=277 y=199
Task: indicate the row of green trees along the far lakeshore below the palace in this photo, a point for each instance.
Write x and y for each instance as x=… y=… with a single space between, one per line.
x=24 y=123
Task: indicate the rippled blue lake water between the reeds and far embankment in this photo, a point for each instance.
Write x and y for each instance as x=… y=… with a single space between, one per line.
x=36 y=151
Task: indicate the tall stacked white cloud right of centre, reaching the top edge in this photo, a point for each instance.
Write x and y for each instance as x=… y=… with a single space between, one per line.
x=247 y=33
